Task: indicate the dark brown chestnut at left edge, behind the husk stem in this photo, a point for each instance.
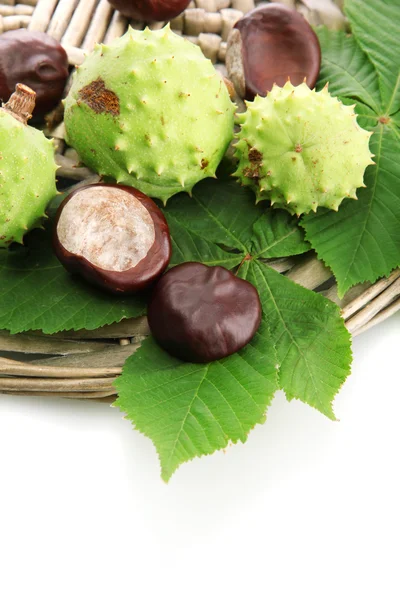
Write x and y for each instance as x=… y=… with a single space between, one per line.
x=37 y=60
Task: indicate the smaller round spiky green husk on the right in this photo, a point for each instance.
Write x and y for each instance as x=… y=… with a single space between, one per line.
x=301 y=149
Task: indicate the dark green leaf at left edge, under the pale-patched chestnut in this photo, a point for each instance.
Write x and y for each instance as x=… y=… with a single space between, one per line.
x=37 y=293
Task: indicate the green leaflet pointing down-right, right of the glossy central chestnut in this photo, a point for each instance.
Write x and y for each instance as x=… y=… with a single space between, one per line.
x=311 y=340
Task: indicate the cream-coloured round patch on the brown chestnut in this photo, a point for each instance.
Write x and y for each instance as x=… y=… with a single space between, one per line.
x=108 y=227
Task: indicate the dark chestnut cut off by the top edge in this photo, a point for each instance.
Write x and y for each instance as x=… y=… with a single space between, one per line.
x=150 y=10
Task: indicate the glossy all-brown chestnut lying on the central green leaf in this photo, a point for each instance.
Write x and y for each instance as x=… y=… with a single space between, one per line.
x=200 y=314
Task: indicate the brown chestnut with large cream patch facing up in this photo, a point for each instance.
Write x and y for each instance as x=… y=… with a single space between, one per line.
x=112 y=235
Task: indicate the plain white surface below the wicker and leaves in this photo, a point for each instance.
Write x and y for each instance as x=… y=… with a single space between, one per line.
x=306 y=508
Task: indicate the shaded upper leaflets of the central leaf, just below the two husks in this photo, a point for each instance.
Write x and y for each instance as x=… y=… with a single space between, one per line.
x=225 y=214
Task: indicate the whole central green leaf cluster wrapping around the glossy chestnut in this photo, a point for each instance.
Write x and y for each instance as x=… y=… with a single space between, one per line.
x=302 y=346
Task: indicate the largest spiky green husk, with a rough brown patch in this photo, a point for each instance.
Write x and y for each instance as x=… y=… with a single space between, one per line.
x=175 y=116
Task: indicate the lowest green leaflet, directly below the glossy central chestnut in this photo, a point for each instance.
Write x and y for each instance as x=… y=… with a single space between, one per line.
x=191 y=410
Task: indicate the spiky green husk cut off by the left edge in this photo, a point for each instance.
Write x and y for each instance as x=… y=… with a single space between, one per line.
x=27 y=178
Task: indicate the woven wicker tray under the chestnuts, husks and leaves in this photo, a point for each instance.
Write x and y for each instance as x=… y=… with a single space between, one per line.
x=84 y=364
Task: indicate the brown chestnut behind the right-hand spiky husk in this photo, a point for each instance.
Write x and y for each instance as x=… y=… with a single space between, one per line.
x=269 y=45
